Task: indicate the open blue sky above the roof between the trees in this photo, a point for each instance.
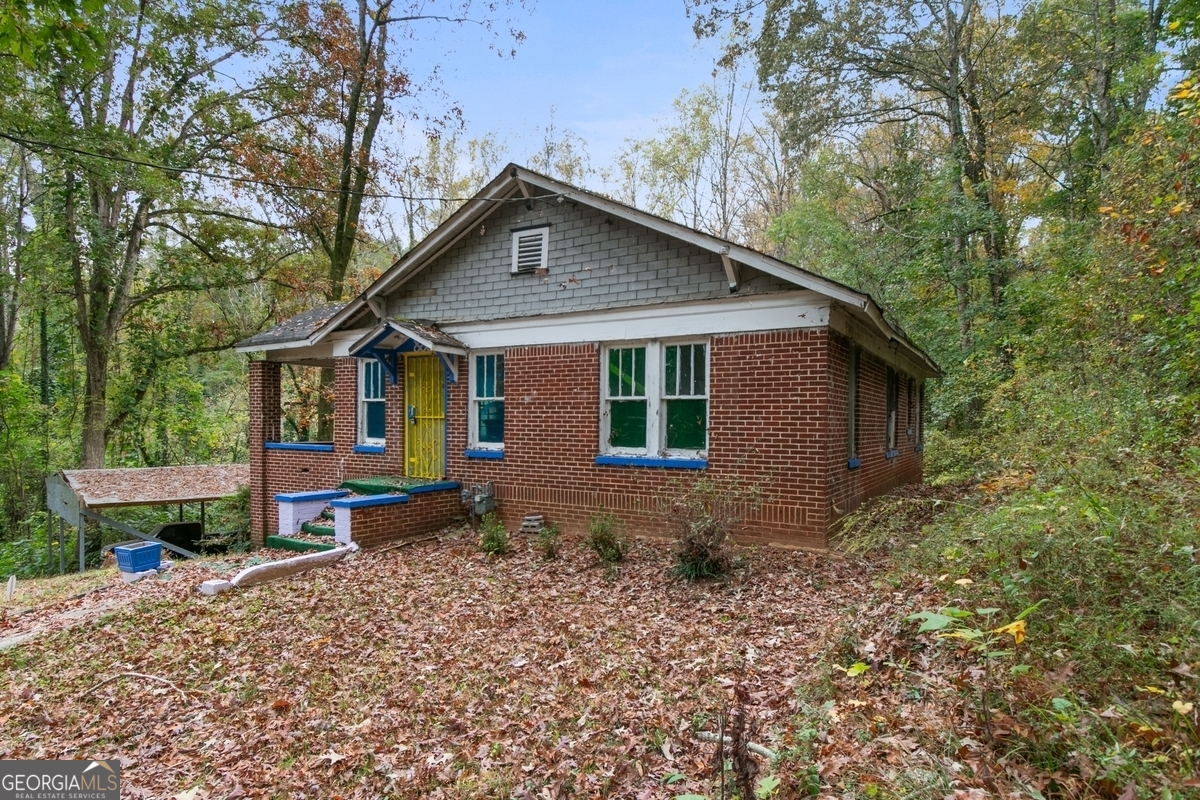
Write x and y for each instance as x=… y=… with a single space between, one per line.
x=609 y=70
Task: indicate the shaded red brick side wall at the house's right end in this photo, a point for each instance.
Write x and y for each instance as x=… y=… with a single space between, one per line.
x=878 y=474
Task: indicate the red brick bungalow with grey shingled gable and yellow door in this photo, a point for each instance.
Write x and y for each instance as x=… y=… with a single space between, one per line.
x=581 y=354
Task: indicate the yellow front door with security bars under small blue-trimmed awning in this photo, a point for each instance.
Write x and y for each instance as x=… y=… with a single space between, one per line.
x=425 y=441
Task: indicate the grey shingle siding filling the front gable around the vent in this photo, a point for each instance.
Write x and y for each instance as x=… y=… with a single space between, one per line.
x=593 y=266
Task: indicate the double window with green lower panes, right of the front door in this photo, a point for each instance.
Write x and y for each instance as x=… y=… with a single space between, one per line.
x=656 y=400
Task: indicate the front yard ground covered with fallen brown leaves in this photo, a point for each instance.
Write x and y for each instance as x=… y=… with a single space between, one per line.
x=435 y=672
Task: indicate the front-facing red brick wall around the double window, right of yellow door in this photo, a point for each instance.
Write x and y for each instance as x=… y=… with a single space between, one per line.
x=767 y=399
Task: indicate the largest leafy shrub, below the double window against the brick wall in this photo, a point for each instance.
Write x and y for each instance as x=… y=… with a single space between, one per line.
x=701 y=516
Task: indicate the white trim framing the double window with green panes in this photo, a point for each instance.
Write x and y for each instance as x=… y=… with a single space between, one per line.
x=656 y=405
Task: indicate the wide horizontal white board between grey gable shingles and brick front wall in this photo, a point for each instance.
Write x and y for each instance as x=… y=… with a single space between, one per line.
x=737 y=315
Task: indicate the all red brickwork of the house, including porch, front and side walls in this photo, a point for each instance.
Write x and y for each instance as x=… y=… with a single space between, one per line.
x=777 y=419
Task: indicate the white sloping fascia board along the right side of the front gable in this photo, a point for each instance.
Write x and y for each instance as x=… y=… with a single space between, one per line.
x=712 y=244
